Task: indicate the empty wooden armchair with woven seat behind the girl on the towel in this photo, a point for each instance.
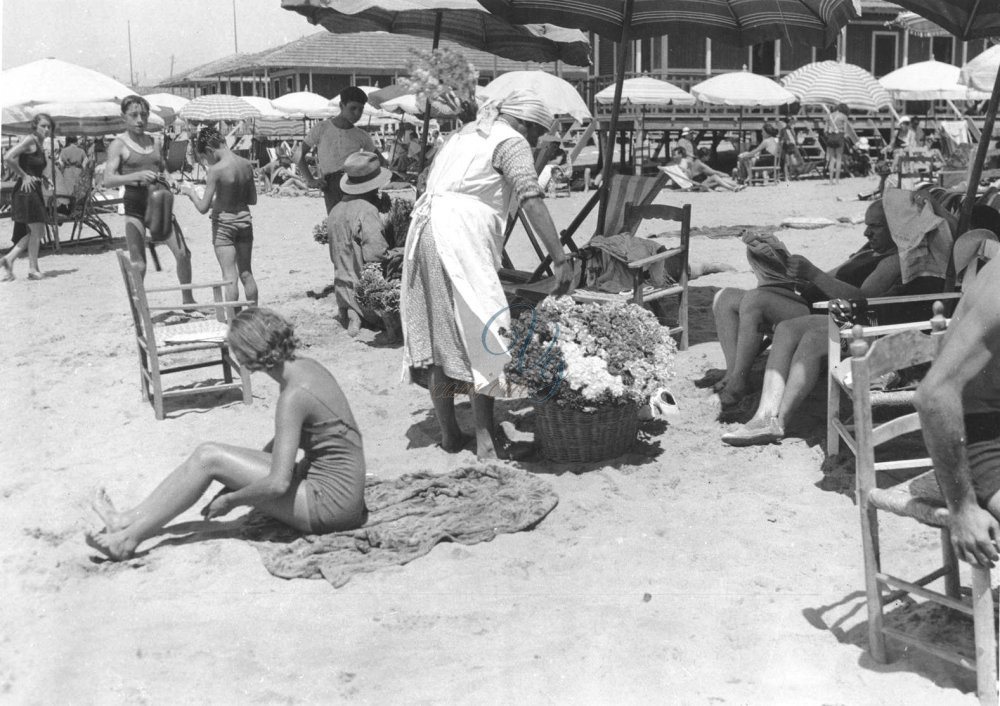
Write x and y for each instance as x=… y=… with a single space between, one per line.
x=202 y=340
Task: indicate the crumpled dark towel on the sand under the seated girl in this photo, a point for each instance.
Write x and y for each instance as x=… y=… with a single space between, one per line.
x=407 y=516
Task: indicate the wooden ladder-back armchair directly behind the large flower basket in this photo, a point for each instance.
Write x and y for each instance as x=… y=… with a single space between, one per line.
x=642 y=292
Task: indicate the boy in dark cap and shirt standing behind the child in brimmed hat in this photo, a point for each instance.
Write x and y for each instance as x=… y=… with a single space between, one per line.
x=334 y=139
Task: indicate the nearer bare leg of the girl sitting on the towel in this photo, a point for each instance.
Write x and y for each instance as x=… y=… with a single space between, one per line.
x=233 y=466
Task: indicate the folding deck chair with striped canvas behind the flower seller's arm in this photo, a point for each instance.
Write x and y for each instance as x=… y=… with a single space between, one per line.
x=622 y=189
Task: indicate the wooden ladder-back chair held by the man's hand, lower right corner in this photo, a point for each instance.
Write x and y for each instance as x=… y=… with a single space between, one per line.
x=920 y=499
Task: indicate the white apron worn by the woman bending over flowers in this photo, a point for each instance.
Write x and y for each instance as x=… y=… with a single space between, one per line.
x=466 y=205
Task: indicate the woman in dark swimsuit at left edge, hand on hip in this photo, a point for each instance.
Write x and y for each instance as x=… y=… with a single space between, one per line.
x=27 y=161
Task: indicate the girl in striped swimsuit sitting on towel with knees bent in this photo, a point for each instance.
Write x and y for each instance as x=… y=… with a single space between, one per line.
x=324 y=492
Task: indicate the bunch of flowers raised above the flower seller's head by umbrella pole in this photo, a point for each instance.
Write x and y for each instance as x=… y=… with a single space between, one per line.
x=442 y=75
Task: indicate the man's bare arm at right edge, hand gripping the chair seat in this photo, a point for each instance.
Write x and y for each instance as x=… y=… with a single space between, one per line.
x=972 y=342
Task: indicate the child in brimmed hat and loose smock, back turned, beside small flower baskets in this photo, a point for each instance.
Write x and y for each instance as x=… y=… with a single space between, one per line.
x=355 y=228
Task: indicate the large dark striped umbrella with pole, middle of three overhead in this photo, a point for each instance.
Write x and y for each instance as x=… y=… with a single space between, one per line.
x=742 y=22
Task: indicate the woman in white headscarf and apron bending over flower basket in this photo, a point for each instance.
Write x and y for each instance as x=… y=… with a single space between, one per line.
x=453 y=306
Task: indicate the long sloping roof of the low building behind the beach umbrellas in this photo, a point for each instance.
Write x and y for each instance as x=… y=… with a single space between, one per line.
x=361 y=52
